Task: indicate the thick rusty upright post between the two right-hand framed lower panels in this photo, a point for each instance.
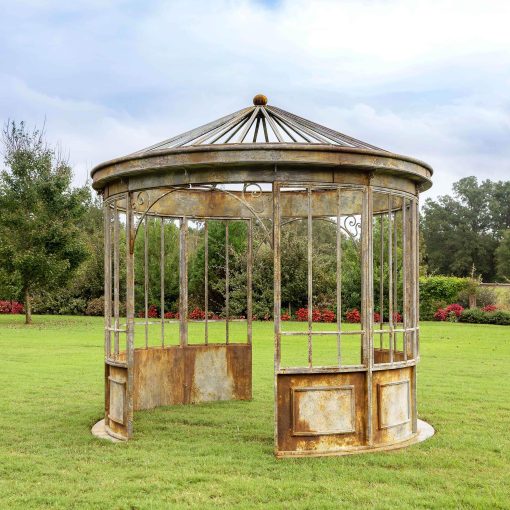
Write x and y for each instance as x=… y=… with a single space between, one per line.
x=368 y=303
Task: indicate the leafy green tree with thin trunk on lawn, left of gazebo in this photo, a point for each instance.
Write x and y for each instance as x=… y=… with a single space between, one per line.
x=39 y=214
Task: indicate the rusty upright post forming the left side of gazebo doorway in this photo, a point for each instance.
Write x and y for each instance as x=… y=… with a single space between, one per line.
x=130 y=309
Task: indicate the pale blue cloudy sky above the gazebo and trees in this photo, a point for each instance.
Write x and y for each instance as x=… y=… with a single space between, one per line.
x=430 y=79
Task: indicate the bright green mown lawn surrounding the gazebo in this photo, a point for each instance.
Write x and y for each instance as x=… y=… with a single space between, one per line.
x=221 y=454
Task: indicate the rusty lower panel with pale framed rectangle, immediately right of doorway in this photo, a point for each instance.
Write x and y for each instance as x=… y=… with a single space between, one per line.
x=338 y=397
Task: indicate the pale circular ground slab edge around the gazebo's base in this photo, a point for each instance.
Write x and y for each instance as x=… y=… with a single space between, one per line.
x=425 y=431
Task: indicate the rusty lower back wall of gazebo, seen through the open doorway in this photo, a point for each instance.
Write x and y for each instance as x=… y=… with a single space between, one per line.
x=191 y=374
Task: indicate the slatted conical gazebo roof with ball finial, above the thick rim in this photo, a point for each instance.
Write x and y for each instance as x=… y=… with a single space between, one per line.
x=261 y=123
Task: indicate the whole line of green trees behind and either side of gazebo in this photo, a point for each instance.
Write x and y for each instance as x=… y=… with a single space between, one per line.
x=51 y=244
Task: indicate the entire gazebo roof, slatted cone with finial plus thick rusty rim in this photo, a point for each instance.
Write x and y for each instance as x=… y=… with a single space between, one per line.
x=259 y=143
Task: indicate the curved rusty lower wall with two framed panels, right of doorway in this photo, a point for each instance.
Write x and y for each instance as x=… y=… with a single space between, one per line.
x=327 y=413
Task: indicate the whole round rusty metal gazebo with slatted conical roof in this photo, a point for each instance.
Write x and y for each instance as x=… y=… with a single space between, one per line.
x=270 y=169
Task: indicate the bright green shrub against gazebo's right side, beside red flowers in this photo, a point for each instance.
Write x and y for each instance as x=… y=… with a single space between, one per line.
x=438 y=291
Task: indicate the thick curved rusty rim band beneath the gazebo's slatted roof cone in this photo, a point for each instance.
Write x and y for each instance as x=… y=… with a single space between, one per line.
x=252 y=163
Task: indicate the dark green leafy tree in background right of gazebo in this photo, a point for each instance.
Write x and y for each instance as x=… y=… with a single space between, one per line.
x=465 y=229
